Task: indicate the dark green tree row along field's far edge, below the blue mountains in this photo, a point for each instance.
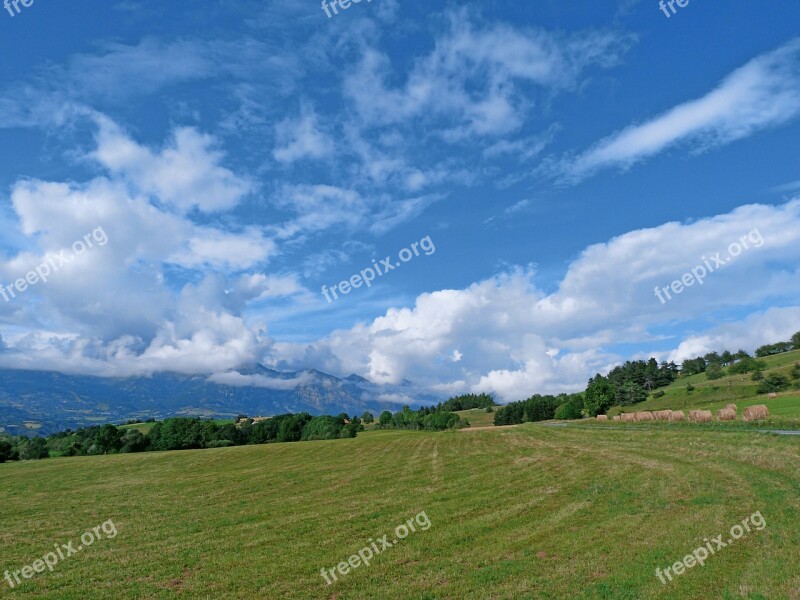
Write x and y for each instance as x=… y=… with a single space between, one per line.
x=180 y=434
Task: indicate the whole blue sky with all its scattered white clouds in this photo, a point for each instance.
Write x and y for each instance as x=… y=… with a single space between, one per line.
x=564 y=161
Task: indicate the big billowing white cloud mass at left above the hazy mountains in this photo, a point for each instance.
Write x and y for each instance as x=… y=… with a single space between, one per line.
x=120 y=309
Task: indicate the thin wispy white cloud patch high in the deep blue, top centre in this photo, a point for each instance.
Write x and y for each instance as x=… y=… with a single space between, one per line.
x=471 y=76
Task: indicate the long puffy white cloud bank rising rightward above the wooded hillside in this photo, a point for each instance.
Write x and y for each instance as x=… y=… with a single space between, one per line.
x=513 y=339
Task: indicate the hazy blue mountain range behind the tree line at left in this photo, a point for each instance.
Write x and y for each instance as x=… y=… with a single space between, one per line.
x=51 y=401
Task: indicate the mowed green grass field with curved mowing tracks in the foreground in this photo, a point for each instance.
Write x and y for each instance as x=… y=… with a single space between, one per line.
x=524 y=512
